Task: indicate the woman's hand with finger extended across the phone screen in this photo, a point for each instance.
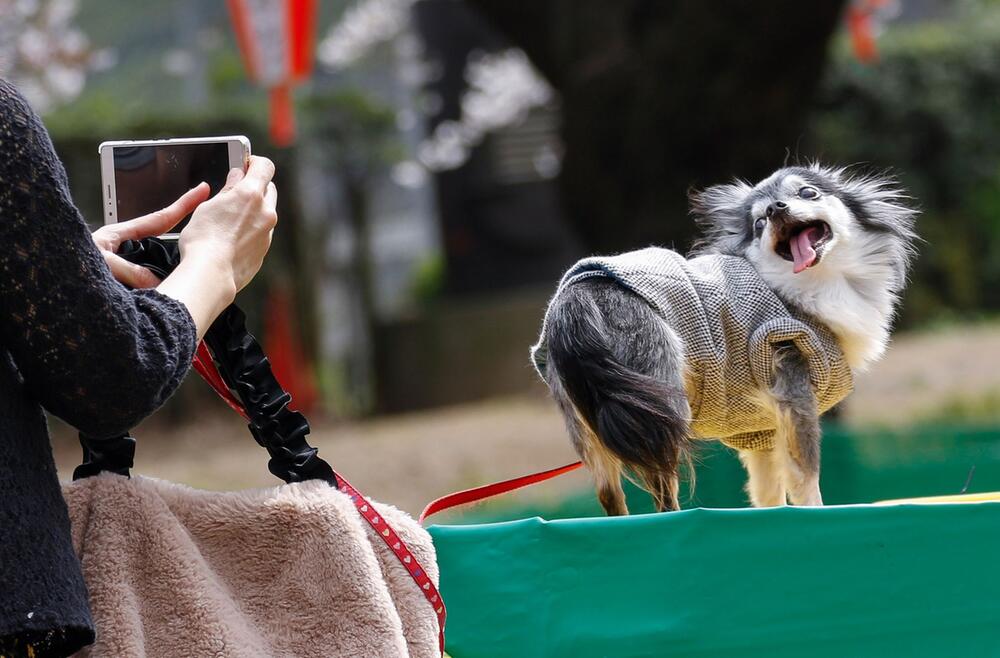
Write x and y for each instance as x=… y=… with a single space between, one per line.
x=109 y=238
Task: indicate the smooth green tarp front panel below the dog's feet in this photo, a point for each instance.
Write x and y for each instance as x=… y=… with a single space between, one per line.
x=909 y=580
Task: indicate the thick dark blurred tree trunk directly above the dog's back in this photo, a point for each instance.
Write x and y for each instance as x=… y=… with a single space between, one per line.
x=657 y=96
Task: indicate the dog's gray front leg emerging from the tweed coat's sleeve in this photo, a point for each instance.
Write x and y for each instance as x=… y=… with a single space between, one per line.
x=797 y=441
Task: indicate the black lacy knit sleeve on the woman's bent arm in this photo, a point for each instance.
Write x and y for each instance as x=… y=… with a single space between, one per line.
x=92 y=352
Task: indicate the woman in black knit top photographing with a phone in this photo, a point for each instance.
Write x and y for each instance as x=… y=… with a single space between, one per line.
x=76 y=342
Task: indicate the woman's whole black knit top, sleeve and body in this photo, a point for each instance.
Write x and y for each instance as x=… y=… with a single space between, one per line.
x=75 y=342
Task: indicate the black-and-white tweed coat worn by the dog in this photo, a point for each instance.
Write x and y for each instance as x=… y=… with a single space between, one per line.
x=729 y=322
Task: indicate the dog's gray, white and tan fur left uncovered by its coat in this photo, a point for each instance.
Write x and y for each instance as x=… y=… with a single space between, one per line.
x=616 y=369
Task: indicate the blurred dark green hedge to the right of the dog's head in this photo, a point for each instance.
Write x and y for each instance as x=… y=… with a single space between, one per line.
x=928 y=108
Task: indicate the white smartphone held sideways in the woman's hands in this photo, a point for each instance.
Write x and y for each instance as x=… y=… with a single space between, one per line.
x=140 y=177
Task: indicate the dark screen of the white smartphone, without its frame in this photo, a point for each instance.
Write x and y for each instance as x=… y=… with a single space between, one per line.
x=148 y=178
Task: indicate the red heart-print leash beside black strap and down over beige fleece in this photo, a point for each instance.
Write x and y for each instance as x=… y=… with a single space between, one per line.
x=205 y=366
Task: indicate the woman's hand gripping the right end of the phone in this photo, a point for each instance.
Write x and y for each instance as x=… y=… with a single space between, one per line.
x=234 y=228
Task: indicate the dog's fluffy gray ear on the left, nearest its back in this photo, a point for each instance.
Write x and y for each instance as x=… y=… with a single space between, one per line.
x=721 y=214
